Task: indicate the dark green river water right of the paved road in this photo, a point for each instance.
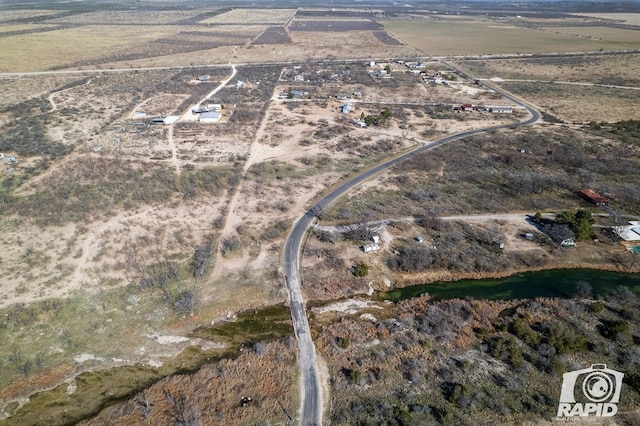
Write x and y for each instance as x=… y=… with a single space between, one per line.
x=529 y=285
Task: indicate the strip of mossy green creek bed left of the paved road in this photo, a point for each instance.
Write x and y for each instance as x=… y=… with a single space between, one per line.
x=95 y=390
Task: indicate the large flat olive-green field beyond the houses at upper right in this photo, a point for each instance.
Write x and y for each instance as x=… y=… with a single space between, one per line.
x=460 y=38
